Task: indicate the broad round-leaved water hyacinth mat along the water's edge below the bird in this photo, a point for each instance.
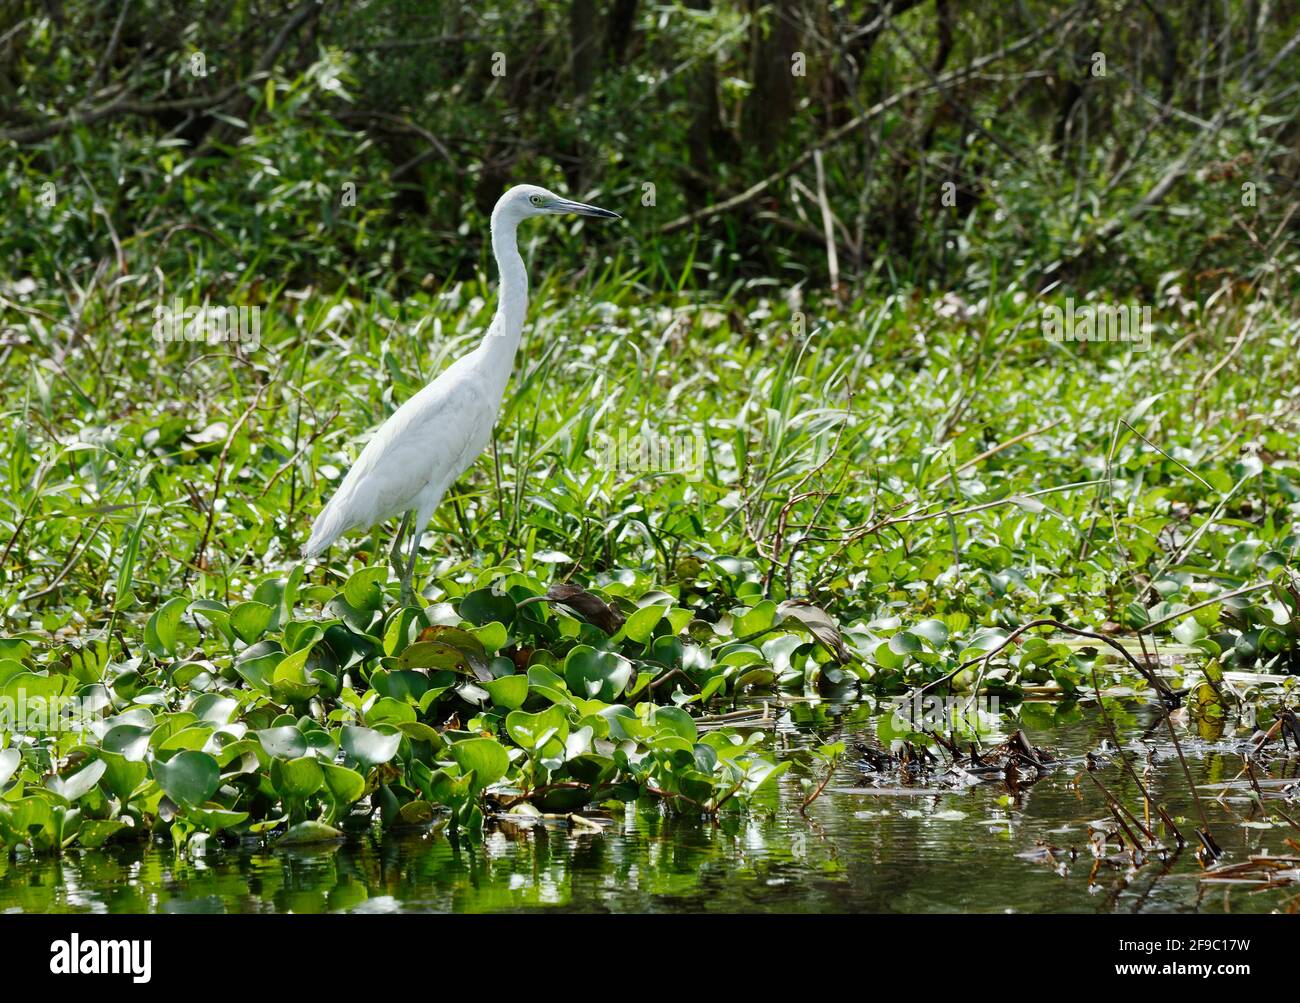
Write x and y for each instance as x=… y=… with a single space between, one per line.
x=309 y=710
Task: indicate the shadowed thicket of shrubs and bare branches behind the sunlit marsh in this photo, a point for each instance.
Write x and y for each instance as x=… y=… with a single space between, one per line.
x=1107 y=140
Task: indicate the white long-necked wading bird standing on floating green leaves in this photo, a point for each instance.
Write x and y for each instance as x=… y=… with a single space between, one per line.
x=421 y=451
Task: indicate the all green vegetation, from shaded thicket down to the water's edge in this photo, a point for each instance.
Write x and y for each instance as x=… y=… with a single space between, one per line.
x=881 y=484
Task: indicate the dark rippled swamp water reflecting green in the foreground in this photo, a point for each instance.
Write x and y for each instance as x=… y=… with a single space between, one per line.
x=898 y=849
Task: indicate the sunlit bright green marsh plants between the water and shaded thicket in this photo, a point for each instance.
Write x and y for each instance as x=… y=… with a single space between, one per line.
x=171 y=619
